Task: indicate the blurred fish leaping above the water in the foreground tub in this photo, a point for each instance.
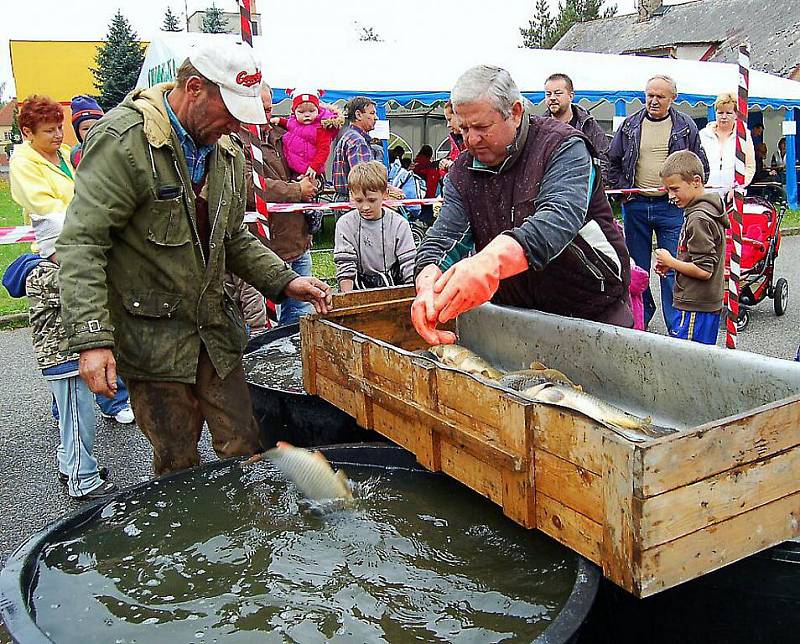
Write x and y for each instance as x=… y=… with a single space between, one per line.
x=310 y=472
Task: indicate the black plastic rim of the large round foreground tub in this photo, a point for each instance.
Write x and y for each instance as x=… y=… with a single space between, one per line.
x=18 y=578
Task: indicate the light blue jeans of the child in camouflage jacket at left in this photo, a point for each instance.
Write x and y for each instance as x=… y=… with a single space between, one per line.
x=78 y=427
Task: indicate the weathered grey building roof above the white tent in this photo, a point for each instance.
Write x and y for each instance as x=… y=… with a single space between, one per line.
x=771 y=27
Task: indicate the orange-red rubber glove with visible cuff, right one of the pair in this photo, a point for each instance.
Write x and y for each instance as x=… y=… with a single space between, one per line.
x=474 y=280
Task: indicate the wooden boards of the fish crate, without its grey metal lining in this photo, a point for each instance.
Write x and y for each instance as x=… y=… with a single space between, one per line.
x=652 y=515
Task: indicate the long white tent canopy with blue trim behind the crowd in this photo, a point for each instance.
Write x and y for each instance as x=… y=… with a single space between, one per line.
x=385 y=71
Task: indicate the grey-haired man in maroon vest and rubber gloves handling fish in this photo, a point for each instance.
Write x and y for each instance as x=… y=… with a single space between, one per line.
x=527 y=196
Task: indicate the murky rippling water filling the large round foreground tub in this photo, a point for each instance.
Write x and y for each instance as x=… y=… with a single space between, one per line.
x=237 y=556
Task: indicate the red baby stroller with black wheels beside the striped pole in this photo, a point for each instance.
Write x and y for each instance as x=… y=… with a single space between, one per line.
x=761 y=240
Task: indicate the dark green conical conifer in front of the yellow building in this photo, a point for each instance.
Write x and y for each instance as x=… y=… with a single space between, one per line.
x=119 y=60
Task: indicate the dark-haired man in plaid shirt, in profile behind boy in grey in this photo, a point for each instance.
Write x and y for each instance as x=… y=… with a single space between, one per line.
x=354 y=145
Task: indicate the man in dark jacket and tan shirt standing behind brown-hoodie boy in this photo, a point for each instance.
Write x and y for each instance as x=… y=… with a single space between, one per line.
x=639 y=148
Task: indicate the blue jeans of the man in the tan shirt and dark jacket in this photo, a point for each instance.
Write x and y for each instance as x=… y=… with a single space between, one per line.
x=643 y=217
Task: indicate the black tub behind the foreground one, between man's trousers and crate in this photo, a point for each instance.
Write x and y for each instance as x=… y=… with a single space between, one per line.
x=299 y=418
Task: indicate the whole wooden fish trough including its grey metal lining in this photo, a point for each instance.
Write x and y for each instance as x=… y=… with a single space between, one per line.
x=651 y=514
